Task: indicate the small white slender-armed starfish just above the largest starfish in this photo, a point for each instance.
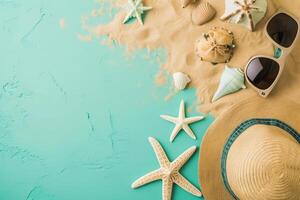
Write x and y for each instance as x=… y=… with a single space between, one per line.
x=182 y=122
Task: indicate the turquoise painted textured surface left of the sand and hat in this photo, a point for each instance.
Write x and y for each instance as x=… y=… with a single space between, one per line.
x=75 y=116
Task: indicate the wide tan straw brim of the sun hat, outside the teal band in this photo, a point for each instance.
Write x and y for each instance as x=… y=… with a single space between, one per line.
x=210 y=174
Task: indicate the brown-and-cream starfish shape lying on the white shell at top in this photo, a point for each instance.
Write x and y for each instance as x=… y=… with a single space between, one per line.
x=243 y=9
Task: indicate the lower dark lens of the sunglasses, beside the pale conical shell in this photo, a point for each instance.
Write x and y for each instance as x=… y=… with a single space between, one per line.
x=262 y=72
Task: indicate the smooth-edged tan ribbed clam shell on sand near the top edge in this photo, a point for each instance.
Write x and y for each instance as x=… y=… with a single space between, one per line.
x=203 y=13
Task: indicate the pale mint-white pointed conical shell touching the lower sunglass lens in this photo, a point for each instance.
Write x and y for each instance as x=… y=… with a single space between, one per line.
x=232 y=80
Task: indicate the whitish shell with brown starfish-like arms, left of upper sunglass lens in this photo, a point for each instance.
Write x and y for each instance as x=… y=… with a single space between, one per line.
x=245 y=13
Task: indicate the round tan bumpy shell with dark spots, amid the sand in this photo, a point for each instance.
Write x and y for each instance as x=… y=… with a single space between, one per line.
x=215 y=46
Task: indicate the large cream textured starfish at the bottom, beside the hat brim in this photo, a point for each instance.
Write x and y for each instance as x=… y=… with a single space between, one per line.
x=168 y=172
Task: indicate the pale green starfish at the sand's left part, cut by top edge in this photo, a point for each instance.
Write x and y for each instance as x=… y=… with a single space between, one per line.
x=135 y=9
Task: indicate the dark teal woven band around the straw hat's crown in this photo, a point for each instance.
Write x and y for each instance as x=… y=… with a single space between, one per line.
x=239 y=130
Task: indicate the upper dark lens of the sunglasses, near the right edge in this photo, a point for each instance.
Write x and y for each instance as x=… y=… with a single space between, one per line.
x=283 y=29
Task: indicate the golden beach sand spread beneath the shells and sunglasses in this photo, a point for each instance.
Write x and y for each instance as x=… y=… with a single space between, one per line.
x=169 y=26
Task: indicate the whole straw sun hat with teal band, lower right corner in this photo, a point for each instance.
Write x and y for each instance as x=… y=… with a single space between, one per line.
x=252 y=152
